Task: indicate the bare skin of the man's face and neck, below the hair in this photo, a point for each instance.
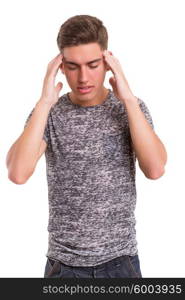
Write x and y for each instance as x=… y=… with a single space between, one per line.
x=84 y=65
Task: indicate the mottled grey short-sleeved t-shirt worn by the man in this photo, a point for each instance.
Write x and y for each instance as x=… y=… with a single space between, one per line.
x=90 y=164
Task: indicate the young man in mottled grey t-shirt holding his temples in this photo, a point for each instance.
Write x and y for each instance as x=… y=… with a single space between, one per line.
x=91 y=137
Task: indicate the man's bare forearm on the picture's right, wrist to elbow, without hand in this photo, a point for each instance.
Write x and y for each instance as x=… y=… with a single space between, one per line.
x=150 y=151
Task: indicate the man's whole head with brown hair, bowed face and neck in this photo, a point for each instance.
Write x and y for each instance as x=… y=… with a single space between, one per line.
x=82 y=40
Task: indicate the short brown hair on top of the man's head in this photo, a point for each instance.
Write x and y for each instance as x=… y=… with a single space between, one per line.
x=82 y=29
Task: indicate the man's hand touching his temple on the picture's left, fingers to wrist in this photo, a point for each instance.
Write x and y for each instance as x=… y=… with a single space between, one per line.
x=50 y=92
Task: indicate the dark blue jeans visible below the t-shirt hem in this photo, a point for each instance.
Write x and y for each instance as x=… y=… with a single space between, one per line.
x=121 y=267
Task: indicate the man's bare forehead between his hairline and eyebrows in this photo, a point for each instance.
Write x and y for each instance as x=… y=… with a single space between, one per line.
x=83 y=53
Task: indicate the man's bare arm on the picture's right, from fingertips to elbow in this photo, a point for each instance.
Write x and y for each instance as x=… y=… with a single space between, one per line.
x=149 y=149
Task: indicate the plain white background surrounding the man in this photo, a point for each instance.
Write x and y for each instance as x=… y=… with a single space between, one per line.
x=147 y=37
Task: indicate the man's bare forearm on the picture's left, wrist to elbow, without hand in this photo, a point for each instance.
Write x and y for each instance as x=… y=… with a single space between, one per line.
x=22 y=156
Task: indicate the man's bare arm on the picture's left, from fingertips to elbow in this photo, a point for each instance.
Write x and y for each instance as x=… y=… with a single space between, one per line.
x=24 y=153
